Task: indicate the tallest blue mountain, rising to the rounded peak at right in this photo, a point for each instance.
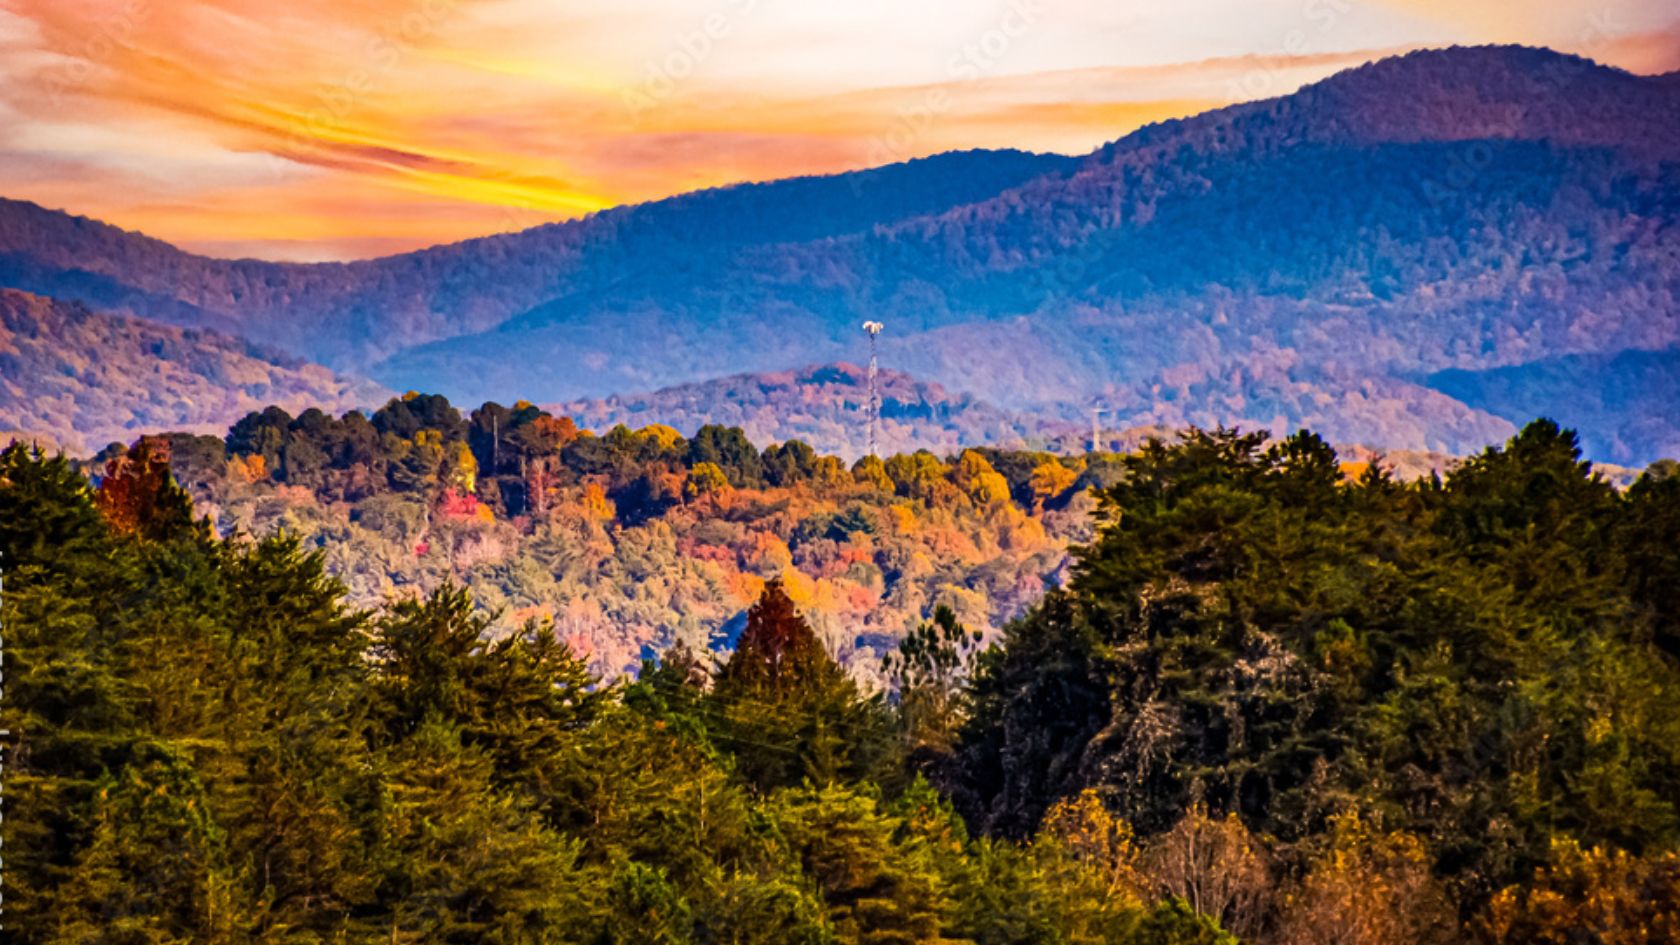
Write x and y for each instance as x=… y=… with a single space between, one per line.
x=1457 y=209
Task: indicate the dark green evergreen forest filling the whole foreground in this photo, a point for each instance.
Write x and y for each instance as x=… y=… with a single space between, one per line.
x=1274 y=705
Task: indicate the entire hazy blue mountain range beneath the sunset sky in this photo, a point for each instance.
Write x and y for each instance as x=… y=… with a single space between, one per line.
x=1417 y=255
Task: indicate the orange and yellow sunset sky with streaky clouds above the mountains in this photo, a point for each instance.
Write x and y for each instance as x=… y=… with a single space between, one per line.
x=354 y=129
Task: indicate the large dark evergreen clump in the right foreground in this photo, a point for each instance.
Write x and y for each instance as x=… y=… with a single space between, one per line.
x=1488 y=662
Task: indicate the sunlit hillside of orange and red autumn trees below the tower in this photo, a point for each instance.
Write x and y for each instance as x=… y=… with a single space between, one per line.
x=634 y=541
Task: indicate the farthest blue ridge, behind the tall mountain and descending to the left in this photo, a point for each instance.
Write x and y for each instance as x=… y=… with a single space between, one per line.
x=350 y=314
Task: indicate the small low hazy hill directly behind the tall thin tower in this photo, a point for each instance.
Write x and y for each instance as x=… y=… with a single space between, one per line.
x=826 y=406
